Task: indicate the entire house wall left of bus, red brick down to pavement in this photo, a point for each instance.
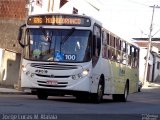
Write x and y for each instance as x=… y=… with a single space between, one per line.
x=12 y=15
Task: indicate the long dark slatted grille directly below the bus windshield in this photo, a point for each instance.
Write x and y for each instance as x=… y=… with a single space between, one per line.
x=53 y=66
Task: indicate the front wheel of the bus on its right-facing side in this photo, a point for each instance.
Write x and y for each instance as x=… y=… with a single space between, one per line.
x=98 y=97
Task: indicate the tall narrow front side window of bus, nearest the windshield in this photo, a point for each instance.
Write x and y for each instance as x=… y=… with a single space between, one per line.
x=96 y=41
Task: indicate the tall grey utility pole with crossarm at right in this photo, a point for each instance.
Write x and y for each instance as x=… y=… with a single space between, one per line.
x=149 y=46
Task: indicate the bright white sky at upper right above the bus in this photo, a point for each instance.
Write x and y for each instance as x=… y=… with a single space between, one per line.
x=130 y=18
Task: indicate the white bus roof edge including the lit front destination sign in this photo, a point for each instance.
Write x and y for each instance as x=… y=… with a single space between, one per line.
x=61 y=19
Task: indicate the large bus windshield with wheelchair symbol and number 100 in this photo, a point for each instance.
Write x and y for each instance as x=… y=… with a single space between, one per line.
x=63 y=45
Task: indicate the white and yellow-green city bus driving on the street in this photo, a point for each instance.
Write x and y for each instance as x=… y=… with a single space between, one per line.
x=66 y=54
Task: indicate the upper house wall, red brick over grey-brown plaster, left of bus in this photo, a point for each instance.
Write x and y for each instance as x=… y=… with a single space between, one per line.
x=12 y=15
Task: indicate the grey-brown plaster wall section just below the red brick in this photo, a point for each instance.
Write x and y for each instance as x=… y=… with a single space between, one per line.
x=9 y=33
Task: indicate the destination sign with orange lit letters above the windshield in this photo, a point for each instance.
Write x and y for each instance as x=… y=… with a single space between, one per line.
x=66 y=20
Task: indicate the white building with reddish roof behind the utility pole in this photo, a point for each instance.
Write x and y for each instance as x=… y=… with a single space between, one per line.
x=153 y=72
